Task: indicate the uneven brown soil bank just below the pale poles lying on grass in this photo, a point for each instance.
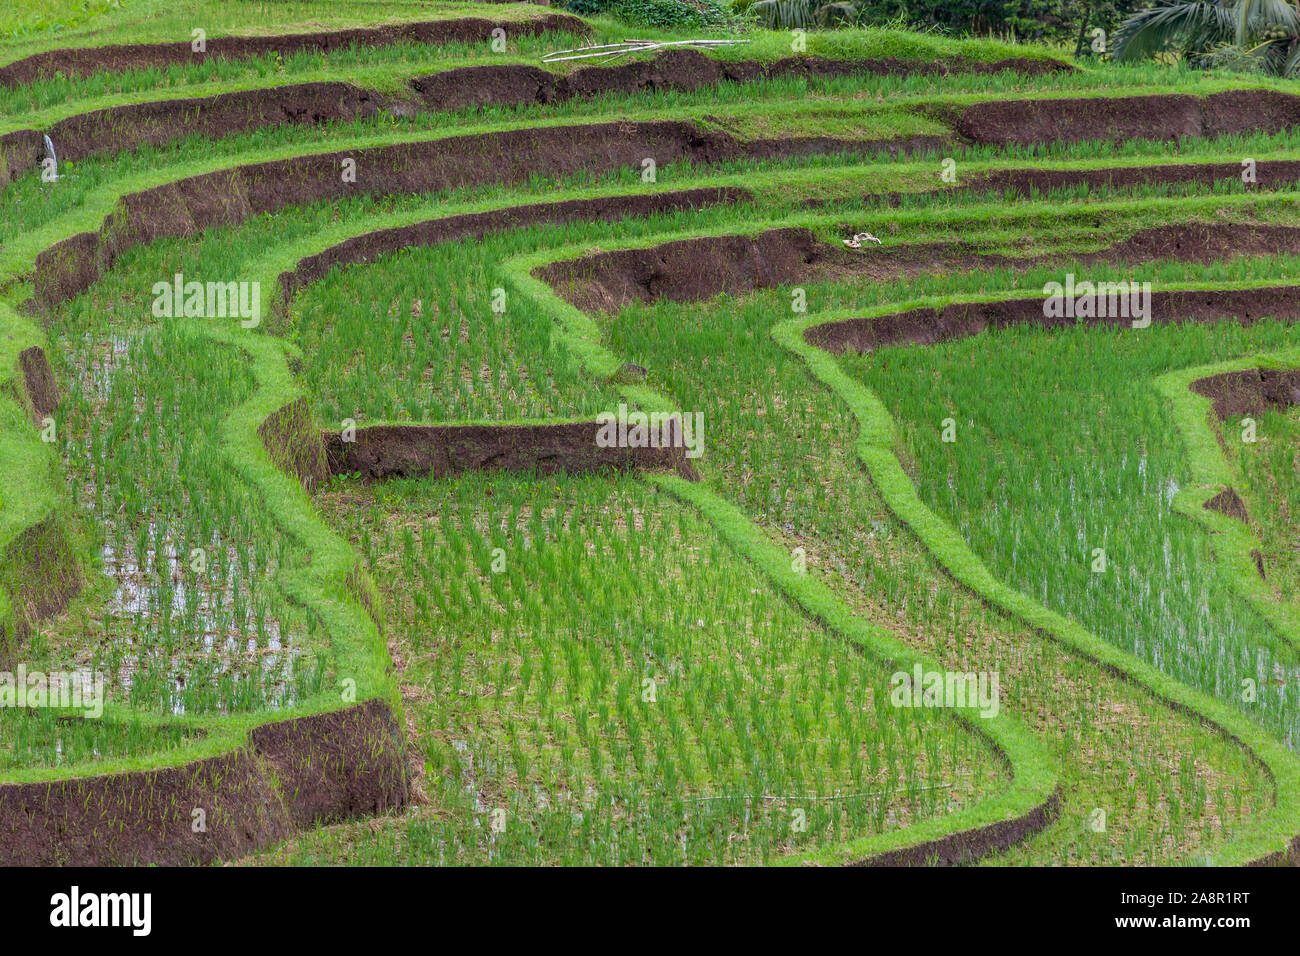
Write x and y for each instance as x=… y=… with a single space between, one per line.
x=683 y=71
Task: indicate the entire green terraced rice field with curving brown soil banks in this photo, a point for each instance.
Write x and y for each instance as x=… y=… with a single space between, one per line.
x=322 y=550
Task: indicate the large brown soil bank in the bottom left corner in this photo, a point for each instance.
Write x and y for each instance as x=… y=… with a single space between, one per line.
x=293 y=775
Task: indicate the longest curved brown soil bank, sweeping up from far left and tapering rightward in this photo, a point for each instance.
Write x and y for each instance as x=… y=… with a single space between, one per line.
x=232 y=196
